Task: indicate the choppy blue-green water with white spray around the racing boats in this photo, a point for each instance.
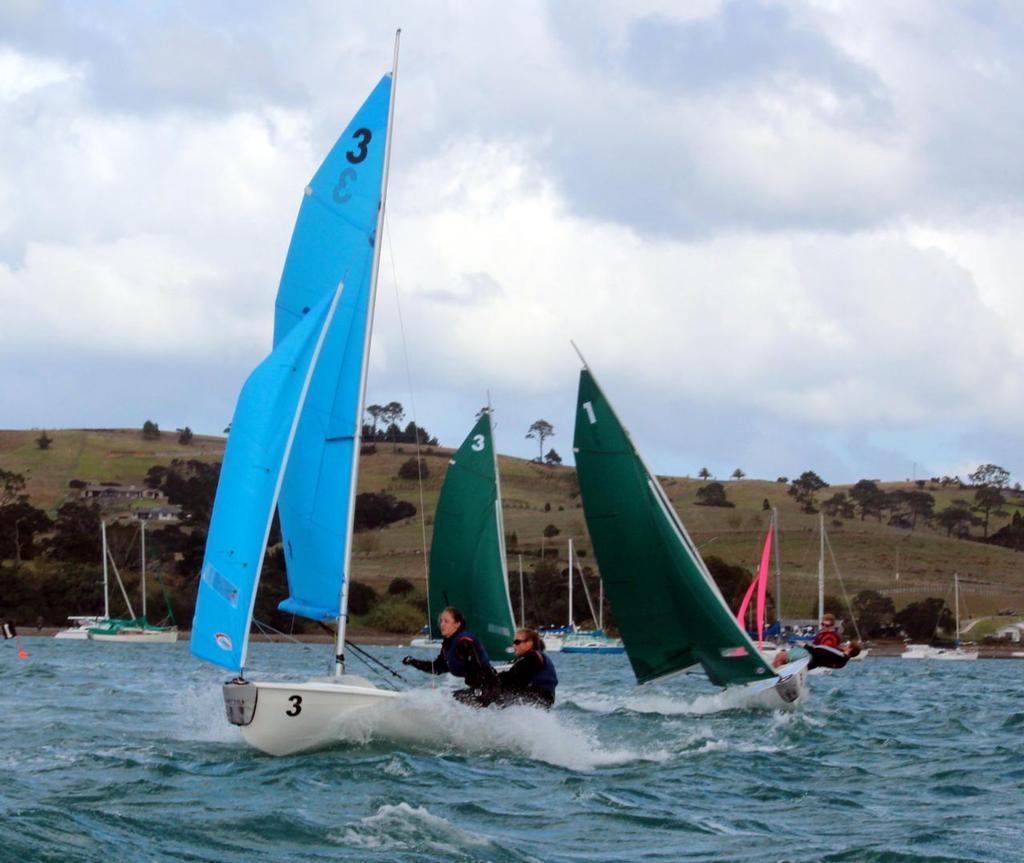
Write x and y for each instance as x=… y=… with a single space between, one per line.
x=121 y=753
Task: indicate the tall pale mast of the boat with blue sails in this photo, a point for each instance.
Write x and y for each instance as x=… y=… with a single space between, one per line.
x=339 y=651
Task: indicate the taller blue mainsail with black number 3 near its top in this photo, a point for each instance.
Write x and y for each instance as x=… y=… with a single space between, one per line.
x=333 y=241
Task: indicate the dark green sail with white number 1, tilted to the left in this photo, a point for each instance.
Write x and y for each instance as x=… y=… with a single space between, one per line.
x=669 y=611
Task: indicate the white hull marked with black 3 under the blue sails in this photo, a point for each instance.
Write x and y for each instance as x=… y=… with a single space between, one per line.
x=290 y=718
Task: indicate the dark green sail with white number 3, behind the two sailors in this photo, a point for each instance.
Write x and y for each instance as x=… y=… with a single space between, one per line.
x=467 y=554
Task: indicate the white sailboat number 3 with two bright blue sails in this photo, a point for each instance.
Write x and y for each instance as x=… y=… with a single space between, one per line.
x=294 y=447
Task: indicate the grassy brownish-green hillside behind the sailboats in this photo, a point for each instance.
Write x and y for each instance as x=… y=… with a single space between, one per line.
x=869 y=554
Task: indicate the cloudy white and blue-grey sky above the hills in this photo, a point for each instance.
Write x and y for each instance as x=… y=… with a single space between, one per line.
x=786 y=236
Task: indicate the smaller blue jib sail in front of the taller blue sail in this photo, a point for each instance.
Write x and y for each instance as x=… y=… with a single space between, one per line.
x=244 y=506
